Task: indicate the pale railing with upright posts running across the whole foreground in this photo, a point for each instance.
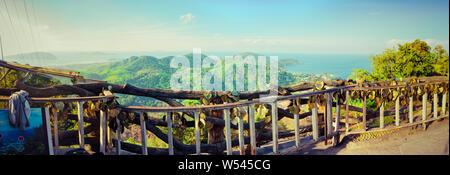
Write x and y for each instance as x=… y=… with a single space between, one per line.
x=330 y=131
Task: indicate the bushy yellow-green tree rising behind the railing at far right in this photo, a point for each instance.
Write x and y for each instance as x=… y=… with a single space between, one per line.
x=409 y=59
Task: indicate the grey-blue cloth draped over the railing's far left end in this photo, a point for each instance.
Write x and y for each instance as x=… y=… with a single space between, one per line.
x=19 y=110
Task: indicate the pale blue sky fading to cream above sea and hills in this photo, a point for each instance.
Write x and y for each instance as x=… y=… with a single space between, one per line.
x=325 y=27
